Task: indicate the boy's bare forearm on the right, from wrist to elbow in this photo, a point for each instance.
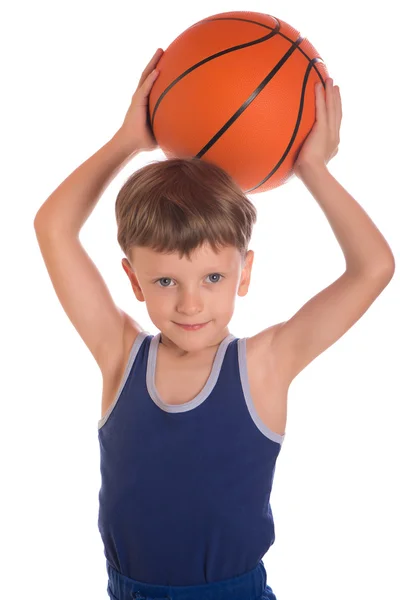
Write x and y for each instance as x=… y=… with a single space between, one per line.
x=364 y=247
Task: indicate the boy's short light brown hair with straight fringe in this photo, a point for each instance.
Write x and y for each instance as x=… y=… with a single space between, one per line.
x=176 y=205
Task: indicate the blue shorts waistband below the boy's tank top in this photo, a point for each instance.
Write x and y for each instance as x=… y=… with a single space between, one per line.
x=250 y=586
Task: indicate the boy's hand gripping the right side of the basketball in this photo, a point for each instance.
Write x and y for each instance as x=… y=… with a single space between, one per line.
x=321 y=144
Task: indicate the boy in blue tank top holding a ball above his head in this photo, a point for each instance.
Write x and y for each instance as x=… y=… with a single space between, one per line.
x=193 y=418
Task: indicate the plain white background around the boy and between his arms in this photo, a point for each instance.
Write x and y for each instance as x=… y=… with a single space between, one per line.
x=68 y=73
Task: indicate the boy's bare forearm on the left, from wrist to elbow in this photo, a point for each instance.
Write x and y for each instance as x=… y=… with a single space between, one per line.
x=70 y=205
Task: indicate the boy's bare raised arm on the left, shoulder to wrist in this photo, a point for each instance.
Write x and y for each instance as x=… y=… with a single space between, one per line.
x=77 y=282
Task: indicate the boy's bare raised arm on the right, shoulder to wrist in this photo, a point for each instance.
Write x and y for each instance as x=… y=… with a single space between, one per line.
x=370 y=266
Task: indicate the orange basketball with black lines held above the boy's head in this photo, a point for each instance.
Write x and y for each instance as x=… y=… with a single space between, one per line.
x=237 y=89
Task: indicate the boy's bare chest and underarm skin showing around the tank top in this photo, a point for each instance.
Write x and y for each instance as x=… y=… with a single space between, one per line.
x=268 y=393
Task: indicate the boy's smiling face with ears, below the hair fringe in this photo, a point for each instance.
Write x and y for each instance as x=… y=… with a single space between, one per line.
x=200 y=290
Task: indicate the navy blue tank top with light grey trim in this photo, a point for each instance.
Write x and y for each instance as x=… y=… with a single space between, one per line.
x=185 y=489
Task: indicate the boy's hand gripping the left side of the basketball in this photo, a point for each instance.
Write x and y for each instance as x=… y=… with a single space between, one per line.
x=135 y=133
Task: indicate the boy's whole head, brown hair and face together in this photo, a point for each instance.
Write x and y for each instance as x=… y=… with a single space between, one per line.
x=184 y=226
